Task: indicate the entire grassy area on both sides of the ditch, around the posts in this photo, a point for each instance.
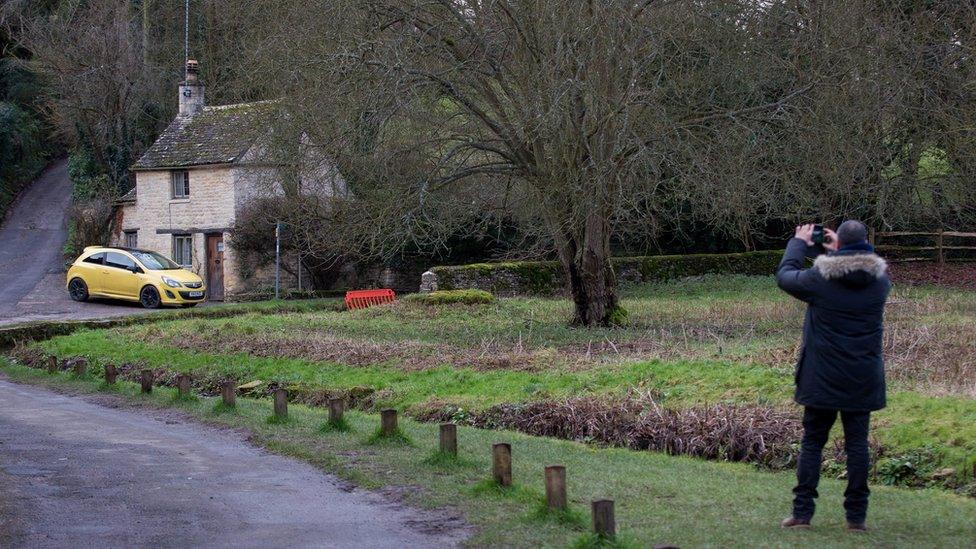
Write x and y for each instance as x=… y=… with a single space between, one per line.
x=695 y=352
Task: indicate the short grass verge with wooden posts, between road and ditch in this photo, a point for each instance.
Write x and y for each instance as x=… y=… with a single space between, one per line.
x=659 y=498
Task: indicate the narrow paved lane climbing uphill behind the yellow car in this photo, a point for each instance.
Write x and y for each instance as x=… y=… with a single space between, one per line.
x=31 y=264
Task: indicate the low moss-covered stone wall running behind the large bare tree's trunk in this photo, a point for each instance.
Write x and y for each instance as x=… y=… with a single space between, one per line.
x=546 y=277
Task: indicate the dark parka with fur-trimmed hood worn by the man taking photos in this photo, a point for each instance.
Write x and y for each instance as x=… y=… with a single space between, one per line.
x=841 y=365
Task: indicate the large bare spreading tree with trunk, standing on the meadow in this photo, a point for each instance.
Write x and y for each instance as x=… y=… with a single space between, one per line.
x=581 y=112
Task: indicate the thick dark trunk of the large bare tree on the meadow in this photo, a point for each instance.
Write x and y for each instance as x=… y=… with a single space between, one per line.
x=592 y=283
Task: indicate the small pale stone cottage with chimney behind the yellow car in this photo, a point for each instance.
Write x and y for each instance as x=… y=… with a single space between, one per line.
x=193 y=182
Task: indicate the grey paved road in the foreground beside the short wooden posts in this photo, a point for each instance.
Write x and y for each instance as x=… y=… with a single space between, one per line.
x=77 y=474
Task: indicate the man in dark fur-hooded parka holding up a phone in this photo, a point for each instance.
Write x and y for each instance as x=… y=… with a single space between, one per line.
x=841 y=366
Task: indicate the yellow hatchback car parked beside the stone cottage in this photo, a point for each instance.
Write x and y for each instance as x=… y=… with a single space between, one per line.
x=135 y=275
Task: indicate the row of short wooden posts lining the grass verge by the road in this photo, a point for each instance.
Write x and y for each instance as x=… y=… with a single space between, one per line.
x=604 y=523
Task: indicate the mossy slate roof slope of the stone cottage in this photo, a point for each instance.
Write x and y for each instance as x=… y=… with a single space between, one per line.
x=215 y=135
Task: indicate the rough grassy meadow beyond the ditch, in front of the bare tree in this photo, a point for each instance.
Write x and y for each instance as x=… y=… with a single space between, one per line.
x=688 y=343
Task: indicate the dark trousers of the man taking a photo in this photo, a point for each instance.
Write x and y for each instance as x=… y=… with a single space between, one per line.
x=816 y=427
